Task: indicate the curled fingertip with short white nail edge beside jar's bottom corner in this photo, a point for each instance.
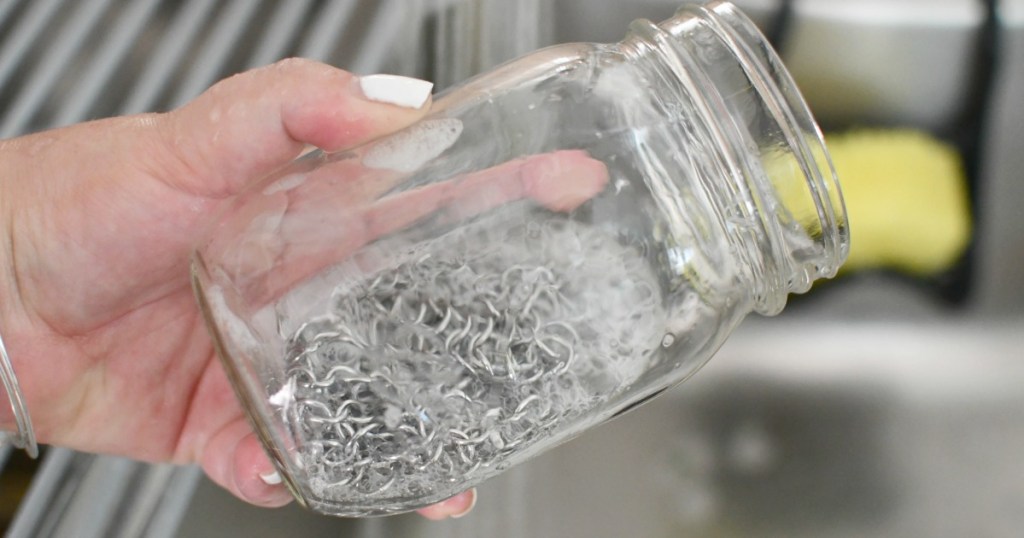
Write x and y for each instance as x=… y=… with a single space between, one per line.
x=235 y=461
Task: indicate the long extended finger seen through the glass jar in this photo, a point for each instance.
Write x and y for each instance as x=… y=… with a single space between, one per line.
x=320 y=232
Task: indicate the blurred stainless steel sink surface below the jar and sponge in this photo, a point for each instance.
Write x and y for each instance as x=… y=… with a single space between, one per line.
x=810 y=429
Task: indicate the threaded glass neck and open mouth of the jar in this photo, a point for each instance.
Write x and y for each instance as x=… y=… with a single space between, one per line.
x=782 y=203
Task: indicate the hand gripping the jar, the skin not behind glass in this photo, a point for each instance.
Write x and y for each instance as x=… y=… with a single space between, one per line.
x=99 y=224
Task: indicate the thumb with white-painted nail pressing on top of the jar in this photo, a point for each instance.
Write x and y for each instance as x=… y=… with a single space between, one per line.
x=248 y=126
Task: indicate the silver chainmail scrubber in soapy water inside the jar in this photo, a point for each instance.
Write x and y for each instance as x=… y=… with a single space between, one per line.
x=441 y=366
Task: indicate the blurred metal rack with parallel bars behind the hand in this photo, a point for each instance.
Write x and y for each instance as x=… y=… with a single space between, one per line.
x=64 y=62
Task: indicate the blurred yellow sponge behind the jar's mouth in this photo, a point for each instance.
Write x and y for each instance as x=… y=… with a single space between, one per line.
x=907 y=200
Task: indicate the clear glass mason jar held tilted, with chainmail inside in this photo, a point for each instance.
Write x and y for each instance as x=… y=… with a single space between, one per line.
x=560 y=240
